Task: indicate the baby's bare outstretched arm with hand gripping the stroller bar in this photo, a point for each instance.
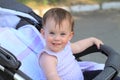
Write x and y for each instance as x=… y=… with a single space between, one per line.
x=81 y=45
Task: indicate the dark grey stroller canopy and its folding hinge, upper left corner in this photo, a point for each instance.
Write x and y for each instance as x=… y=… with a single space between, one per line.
x=19 y=7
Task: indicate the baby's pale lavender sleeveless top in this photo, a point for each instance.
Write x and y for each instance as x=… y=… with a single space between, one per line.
x=67 y=67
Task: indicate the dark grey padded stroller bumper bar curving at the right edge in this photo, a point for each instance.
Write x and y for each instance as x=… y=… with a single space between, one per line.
x=112 y=65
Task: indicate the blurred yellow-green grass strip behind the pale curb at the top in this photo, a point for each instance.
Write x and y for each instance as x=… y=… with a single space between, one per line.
x=40 y=6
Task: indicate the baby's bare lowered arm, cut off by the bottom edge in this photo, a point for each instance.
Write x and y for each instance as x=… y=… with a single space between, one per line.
x=48 y=64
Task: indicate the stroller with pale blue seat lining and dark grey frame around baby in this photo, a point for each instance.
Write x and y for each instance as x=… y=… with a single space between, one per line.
x=10 y=60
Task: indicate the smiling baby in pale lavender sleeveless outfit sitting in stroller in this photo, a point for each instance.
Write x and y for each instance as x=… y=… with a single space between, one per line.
x=56 y=59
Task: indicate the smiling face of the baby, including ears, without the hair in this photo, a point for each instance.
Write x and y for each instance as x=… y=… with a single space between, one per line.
x=57 y=36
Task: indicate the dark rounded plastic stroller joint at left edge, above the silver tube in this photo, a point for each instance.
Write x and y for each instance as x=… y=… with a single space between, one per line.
x=7 y=59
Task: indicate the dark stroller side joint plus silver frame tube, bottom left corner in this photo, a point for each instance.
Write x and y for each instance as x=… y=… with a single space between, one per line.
x=10 y=65
